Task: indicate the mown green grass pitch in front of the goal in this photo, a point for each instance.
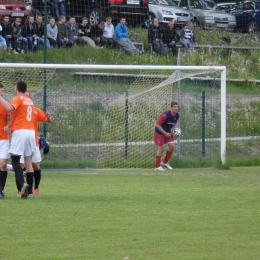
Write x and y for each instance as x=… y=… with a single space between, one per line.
x=137 y=213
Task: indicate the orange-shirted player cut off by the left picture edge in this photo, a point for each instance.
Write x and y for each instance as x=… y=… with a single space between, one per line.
x=5 y=121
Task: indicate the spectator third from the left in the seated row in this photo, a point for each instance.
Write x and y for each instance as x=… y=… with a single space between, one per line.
x=30 y=33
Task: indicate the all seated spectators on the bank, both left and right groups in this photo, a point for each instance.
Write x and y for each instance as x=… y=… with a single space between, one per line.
x=27 y=37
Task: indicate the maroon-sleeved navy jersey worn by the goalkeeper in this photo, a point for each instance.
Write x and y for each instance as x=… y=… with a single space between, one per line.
x=166 y=121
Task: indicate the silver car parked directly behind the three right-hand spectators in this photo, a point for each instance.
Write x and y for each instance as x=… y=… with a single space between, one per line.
x=167 y=10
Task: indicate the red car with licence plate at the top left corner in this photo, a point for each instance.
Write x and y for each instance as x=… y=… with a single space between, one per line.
x=14 y=8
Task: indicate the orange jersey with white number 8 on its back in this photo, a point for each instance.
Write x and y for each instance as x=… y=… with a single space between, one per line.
x=22 y=116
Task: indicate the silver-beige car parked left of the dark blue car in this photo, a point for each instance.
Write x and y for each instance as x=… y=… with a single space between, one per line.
x=206 y=16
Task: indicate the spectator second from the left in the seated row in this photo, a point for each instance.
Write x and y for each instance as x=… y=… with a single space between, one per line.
x=19 y=42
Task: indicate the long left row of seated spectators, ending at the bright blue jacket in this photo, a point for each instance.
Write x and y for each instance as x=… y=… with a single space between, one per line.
x=27 y=37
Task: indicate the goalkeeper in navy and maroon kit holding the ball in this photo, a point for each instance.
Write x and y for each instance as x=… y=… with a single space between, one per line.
x=163 y=134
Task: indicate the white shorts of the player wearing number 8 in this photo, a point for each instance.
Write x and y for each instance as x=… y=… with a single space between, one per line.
x=23 y=142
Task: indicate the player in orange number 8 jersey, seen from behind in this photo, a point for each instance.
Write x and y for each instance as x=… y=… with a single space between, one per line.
x=23 y=134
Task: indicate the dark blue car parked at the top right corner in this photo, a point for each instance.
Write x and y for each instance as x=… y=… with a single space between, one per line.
x=247 y=16
